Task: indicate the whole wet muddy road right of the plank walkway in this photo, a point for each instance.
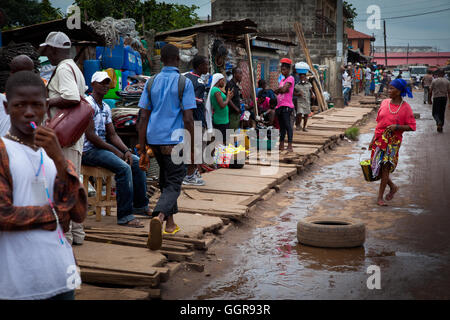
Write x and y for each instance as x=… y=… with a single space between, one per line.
x=409 y=240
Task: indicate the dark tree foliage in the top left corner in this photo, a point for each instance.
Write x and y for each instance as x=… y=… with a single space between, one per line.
x=26 y=12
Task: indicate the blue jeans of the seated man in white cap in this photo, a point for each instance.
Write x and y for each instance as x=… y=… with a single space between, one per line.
x=131 y=184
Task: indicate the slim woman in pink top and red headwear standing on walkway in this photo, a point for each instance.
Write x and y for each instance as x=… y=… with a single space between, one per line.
x=285 y=106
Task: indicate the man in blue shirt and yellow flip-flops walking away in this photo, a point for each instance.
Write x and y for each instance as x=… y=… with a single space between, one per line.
x=160 y=117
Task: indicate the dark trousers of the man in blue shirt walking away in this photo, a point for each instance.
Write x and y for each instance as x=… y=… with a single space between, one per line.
x=171 y=176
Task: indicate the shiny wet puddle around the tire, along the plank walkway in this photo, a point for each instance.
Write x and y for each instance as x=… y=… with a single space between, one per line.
x=273 y=265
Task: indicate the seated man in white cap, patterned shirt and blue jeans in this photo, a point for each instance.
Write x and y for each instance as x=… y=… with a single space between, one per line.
x=104 y=148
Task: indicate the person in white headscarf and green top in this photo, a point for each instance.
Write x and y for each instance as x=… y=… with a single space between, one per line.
x=217 y=115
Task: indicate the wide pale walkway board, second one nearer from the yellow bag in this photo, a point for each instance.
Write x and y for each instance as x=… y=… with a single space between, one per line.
x=219 y=183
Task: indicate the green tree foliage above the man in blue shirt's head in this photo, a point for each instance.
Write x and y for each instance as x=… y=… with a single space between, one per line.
x=159 y=16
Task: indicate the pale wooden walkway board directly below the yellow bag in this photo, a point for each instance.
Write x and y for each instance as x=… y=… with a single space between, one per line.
x=278 y=173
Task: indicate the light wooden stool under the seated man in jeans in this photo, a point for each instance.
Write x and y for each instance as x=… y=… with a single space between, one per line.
x=99 y=200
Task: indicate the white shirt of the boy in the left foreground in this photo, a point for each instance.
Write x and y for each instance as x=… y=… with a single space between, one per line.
x=33 y=263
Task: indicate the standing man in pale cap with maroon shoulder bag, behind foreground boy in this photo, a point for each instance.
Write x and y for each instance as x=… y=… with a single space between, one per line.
x=65 y=88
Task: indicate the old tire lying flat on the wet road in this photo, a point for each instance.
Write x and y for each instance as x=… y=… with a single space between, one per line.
x=331 y=232
